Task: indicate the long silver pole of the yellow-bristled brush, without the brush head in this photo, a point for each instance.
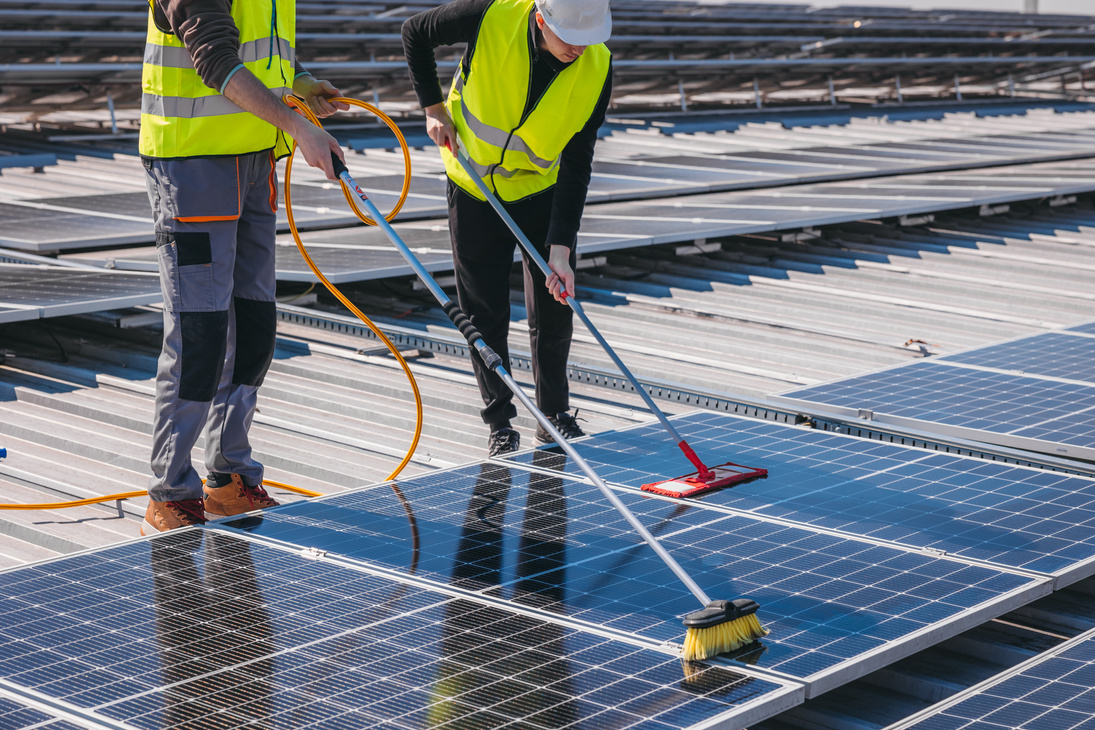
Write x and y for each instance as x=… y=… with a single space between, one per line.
x=494 y=363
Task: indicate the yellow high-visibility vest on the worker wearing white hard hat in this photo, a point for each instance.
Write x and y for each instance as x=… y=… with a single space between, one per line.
x=517 y=156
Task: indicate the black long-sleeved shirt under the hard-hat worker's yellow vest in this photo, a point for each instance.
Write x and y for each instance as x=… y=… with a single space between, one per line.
x=459 y=22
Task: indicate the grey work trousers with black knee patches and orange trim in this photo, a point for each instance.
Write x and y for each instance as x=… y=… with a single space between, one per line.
x=215 y=234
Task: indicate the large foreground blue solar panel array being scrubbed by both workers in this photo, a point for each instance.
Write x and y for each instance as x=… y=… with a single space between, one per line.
x=512 y=592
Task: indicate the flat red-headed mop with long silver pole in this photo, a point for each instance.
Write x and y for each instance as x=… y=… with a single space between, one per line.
x=706 y=479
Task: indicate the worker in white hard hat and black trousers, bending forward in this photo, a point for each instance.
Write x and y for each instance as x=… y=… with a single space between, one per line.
x=528 y=100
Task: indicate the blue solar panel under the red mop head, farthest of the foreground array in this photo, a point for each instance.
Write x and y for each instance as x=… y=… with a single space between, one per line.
x=1011 y=516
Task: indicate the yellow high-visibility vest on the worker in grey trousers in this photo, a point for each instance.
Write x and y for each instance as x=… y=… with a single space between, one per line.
x=182 y=118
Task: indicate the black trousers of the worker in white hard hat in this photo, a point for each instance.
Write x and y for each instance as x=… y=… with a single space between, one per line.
x=483 y=256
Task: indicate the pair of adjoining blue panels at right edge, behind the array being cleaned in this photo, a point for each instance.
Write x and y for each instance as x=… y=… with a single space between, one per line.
x=1036 y=393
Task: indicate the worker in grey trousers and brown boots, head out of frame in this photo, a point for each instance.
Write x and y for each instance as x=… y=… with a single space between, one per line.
x=213 y=126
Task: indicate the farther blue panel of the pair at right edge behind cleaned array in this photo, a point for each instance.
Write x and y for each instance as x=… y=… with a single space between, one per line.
x=1051 y=354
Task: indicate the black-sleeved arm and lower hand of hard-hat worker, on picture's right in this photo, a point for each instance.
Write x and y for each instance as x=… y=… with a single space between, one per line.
x=575 y=171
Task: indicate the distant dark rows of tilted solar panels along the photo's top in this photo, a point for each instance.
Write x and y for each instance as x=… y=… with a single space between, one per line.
x=661 y=50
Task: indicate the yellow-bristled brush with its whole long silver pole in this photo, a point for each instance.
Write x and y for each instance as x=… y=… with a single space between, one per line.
x=722 y=625
